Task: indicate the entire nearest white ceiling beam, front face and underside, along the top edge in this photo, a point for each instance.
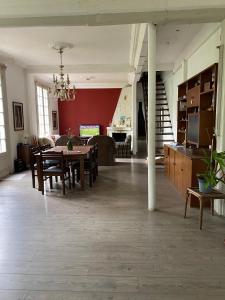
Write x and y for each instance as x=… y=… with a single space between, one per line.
x=16 y=13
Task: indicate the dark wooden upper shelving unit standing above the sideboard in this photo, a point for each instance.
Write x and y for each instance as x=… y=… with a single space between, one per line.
x=196 y=108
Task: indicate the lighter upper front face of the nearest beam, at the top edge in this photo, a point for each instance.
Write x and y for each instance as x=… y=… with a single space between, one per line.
x=32 y=8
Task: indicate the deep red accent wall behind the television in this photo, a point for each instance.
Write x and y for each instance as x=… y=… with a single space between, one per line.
x=92 y=106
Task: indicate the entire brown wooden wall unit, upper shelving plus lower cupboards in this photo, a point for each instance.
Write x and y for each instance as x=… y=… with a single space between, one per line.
x=196 y=108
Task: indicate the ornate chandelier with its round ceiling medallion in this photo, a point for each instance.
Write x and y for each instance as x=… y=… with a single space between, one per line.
x=62 y=90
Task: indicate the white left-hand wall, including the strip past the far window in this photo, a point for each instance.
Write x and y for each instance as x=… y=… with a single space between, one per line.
x=20 y=87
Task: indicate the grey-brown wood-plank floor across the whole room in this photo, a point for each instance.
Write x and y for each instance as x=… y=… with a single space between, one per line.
x=104 y=244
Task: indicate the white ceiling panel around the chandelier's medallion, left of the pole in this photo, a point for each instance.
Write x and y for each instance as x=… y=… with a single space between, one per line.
x=92 y=45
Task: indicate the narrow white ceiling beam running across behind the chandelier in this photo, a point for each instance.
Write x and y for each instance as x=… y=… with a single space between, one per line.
x=89 y=68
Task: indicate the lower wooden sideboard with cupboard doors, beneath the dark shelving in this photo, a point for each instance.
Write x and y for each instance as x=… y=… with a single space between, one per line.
x=181 y=167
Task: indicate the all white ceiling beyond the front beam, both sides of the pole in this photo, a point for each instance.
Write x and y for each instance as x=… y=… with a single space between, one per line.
x=100 y=54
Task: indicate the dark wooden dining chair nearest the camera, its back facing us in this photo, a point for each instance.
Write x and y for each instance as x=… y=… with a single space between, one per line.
x=61 y=169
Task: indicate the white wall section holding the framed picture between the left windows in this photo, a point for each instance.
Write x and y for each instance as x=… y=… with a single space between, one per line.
x=15 y=91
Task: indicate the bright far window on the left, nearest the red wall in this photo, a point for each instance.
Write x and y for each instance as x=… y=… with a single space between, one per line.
x=43 y=111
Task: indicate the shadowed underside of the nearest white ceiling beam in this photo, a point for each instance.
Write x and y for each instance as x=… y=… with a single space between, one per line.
x=182 y=16
